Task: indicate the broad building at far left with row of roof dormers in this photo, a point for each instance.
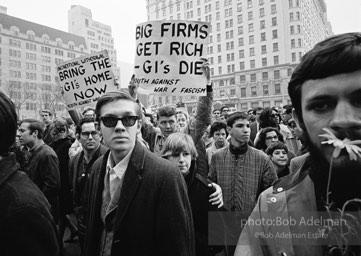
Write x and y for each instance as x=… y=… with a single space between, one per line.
x=29 y=54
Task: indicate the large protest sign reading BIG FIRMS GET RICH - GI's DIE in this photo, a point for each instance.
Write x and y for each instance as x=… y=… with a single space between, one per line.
x=168 y=57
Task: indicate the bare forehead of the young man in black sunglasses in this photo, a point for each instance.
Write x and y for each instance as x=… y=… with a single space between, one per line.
x=119 y=108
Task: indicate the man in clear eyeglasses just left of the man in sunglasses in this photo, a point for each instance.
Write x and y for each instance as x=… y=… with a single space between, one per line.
x=80 y=168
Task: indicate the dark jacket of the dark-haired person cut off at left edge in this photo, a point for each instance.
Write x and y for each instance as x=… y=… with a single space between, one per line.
x=27 y=227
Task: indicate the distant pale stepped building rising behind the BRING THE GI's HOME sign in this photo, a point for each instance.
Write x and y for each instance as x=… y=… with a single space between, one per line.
x=98 y=35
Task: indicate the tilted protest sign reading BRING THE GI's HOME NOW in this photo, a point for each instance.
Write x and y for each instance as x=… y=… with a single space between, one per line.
x=85 y=79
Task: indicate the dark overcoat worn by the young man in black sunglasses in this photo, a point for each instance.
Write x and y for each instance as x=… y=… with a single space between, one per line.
x=153 y=216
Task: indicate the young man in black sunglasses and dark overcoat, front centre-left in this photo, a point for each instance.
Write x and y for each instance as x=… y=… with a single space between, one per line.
x=138 y=203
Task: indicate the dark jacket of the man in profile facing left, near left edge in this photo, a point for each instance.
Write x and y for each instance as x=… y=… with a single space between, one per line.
x=44 y=172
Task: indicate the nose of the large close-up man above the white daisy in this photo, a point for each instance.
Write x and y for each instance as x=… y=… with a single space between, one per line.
x=345 y=116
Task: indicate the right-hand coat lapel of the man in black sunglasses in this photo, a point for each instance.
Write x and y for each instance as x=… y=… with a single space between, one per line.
x=131 y=183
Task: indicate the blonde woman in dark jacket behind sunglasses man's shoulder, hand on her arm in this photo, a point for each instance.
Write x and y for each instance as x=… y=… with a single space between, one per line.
x=179 y=148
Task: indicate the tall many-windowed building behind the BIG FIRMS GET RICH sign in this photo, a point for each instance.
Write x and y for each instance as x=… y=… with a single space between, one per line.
x=254 y=45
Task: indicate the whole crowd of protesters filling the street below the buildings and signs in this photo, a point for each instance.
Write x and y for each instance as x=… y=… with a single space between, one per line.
x=178 y=183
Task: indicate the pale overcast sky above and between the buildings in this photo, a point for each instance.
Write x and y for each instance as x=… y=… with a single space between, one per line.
x=123 y=15
